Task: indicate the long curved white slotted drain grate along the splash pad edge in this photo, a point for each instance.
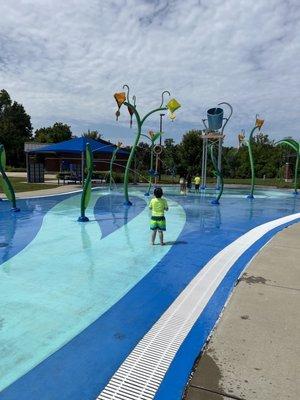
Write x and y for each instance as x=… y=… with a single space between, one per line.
x=142 y=372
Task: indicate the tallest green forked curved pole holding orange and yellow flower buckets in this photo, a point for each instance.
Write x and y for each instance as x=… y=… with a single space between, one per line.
x=139 y=122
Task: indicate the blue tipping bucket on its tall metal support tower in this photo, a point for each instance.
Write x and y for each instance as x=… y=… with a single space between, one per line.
x=214 y=132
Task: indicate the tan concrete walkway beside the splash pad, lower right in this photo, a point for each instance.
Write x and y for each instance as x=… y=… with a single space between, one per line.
x=254 y=352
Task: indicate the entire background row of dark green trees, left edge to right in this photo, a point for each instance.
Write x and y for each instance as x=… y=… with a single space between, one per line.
x=177 y=158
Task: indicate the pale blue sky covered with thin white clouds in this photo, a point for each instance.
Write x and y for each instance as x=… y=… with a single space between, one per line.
x=64 y=60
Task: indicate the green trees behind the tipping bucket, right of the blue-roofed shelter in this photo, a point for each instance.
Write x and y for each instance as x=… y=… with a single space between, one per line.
x=186 y=157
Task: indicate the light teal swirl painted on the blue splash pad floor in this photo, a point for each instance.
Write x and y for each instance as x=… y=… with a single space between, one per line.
x=67 y=277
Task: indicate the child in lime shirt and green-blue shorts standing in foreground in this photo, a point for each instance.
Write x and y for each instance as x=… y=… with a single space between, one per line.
x=158 y=206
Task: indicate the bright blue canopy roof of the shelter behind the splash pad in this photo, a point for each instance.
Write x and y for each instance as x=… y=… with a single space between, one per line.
x=78 y=145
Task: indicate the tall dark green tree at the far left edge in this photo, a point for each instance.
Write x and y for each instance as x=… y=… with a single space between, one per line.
x=15 y=129
